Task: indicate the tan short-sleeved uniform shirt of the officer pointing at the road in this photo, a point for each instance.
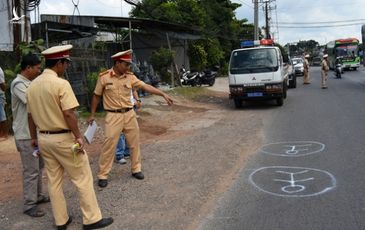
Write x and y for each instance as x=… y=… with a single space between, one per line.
x=116 y=90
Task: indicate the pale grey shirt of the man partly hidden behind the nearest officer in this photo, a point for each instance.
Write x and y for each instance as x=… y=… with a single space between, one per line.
x=18 y=90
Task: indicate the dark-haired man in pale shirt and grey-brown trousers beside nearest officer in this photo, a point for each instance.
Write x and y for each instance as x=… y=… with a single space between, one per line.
x=32 y=163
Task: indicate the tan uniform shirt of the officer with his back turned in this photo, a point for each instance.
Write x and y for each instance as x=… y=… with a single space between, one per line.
x=48 y=95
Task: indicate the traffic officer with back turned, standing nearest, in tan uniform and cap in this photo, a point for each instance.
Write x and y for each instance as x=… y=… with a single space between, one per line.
x=51 y=104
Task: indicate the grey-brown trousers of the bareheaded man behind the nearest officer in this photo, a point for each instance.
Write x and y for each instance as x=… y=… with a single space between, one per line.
x=32 y=174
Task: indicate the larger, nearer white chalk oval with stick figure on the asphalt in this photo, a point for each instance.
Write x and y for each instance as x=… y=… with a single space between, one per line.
x=286 y=181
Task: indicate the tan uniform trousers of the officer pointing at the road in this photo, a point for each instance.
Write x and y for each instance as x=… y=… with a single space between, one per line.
x=115 y=124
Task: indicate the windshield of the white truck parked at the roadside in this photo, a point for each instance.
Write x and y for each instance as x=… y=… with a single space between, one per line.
x=254 y=61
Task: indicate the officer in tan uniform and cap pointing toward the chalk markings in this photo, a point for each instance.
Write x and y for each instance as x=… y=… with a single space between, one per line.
x=115 y=86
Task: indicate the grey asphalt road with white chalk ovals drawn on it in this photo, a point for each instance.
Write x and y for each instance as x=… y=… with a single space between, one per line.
x=315 y=179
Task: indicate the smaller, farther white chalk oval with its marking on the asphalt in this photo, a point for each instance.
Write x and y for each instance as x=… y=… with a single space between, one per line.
x=292 y=148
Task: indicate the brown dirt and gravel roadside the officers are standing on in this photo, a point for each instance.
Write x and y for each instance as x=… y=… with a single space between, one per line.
x=191 y=152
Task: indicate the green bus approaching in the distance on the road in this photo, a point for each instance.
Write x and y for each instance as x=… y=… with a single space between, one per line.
x=348 y=49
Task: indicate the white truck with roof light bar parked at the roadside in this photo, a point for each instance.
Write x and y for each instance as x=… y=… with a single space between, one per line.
x=257 y=73
